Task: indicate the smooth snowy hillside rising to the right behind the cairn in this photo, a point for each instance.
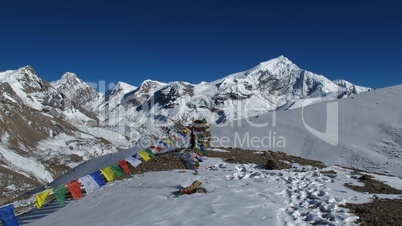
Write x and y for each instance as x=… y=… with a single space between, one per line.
x=363 y=131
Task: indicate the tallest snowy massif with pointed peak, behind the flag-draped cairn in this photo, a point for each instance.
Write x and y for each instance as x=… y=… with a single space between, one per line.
x=267 y=86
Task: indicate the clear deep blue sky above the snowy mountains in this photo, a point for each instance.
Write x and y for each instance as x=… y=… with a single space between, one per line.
x=202 y=40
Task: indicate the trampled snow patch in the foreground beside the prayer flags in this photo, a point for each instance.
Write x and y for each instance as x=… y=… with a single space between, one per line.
x=236 y=195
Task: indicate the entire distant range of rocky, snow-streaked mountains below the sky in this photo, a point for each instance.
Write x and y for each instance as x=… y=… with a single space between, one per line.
x=49 y=128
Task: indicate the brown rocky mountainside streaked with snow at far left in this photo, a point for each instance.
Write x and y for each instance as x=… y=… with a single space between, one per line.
x=39 y=135
